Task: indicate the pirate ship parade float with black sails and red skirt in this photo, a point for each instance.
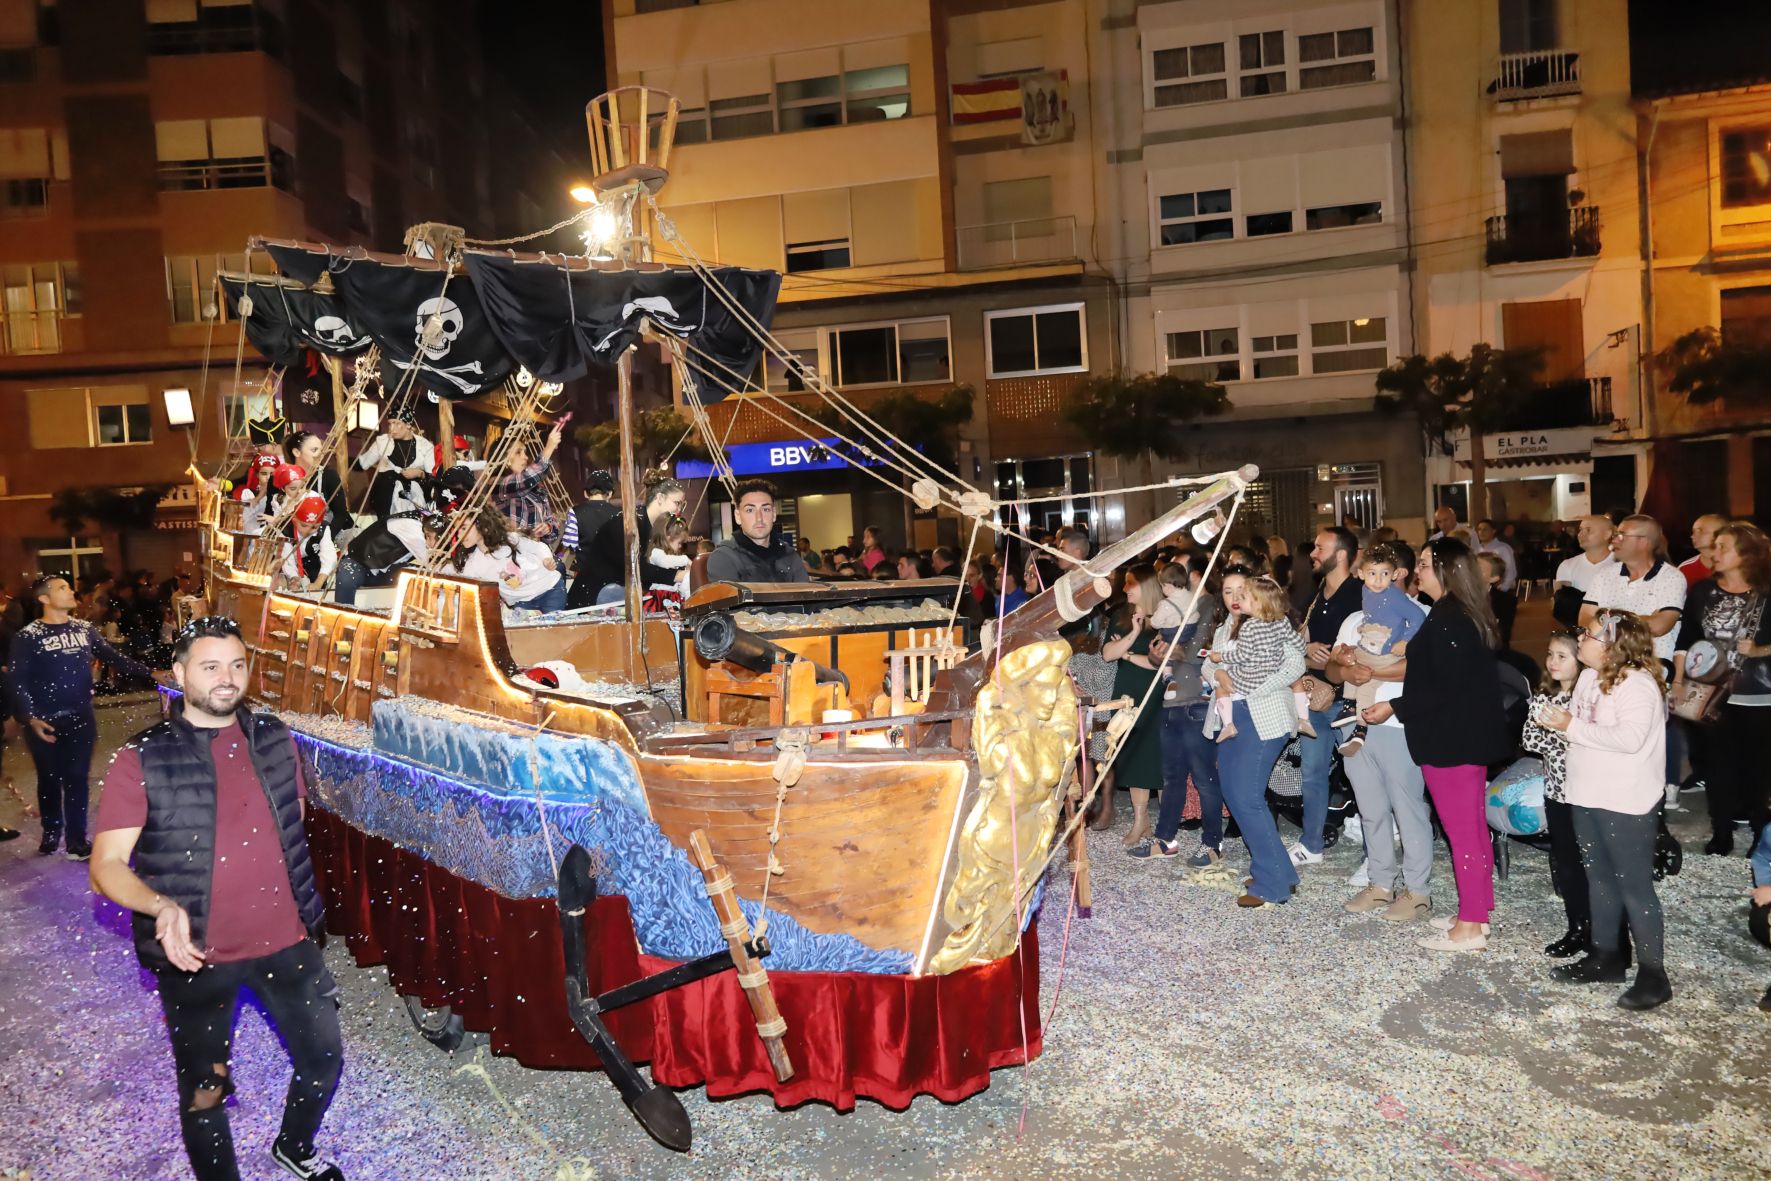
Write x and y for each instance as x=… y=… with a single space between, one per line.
x=601 y=854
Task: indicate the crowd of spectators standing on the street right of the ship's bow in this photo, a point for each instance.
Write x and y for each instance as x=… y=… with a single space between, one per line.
x=1623 y=713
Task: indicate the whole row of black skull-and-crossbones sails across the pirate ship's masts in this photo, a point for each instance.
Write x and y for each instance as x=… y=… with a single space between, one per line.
x=465 y=332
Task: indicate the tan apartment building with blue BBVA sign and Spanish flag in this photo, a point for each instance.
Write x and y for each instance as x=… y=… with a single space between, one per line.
x=924 y=178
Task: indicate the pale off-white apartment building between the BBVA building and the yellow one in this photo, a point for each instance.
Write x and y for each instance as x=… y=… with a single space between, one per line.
x=1260 y=183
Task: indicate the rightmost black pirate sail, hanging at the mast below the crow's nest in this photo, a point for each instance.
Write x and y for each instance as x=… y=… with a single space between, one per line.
x=559 y=323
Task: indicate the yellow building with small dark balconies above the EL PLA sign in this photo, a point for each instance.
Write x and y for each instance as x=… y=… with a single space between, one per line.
x=1526 y=215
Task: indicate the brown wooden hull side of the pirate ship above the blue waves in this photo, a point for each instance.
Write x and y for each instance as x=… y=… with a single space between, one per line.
x=865 y=837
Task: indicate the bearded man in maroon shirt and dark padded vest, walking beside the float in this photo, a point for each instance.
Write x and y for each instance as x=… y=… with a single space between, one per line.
x=208 y=807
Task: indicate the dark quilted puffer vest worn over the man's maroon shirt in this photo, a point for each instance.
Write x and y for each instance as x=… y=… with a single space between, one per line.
x=176 y=851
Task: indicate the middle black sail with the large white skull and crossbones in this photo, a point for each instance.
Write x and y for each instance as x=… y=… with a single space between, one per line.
x=415 y=320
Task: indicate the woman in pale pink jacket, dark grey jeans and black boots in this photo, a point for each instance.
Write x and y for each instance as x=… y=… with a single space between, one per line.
x=1616 y=753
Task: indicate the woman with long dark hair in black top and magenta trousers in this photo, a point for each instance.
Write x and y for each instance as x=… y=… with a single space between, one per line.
x=1457 y=727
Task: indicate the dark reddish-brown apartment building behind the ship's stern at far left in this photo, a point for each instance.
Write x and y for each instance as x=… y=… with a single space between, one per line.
x=141 y=146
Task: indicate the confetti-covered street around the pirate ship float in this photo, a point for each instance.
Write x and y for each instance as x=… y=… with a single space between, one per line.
x=1191 y=1040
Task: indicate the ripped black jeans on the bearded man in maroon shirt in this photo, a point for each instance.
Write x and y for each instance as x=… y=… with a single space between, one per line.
x=298 y=994
